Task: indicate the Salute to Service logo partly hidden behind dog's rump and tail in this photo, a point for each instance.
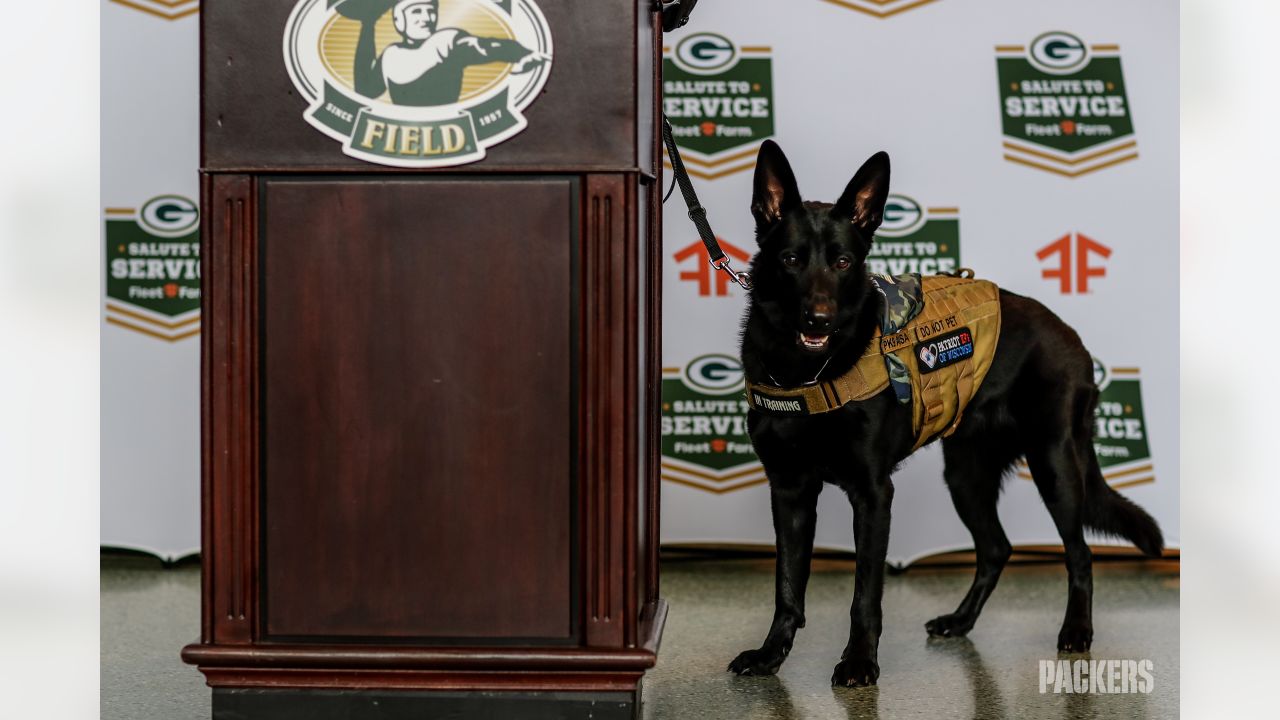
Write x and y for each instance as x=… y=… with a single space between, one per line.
x=1119 y=429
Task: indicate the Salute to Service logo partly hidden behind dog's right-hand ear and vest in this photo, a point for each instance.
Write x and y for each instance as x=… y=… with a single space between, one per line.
x=916 y=240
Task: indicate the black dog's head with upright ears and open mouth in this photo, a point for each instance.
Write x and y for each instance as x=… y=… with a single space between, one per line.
x=811 y=274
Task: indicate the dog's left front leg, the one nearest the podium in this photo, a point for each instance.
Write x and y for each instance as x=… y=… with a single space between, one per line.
x=796 y=516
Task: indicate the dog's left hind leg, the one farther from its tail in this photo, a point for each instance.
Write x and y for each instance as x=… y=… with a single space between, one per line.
x=973 y=475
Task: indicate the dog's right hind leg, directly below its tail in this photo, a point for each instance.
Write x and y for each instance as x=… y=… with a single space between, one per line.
x=1055 y=464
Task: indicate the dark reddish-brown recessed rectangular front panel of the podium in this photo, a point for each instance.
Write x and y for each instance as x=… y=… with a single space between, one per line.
x=426 y=370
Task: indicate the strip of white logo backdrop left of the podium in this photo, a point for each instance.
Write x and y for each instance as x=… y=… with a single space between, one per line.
x=152 y=277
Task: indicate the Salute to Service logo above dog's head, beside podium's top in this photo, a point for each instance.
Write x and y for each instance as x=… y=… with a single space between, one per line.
x=720 y=102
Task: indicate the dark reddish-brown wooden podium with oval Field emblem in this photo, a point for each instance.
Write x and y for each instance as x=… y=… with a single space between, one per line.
x=429 y=395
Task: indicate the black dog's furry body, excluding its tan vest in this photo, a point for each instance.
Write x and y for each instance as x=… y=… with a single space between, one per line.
x=1037 y=402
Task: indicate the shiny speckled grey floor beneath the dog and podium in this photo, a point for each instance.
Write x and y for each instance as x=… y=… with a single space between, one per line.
x=720 y=608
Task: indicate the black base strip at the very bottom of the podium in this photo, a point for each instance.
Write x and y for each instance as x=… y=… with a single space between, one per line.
x=414 y=705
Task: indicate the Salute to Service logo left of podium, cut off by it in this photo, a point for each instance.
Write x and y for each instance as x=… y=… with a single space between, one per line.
x=153 y=268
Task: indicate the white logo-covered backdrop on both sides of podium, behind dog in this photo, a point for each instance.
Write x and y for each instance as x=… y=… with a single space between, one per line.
x=843 y=79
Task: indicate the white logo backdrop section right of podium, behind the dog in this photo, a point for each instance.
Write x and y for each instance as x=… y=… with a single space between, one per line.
x=1035 y=143
